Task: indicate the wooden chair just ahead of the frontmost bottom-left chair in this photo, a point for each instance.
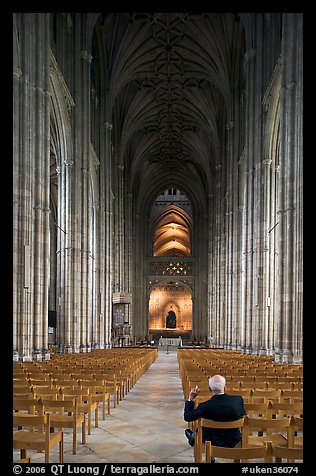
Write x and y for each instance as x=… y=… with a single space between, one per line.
x=66 y=414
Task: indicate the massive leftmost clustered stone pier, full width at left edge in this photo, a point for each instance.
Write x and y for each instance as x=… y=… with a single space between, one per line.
x=31 y=178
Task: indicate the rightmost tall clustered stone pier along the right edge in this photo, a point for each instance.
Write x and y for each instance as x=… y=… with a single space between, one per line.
x=290 y=201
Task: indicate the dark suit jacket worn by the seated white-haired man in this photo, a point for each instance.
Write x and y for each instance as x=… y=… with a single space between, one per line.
x=222 y=407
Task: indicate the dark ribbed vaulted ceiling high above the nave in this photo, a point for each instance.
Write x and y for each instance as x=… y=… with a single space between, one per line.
x=170 y=78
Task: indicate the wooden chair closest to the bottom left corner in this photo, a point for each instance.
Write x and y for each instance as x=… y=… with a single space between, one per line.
x=37 y=440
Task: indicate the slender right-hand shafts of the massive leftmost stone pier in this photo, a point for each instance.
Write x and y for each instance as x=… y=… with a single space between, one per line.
x=42 y=190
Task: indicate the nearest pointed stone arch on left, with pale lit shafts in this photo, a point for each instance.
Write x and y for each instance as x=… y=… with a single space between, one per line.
x=61 y=161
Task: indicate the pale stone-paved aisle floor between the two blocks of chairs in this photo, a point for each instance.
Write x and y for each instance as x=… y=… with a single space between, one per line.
x=147 y=426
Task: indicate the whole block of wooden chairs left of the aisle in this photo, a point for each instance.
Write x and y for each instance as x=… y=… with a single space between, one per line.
x=66 y=393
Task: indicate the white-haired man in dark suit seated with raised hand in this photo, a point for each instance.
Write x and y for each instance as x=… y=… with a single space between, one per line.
x=220 y=407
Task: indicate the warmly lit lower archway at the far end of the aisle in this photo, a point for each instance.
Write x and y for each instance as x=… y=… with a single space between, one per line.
x=170 y=311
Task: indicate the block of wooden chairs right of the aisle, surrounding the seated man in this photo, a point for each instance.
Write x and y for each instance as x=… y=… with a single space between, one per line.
x=272 y=393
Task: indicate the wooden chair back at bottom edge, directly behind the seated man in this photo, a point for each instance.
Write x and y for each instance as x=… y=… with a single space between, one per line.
x=237 y=454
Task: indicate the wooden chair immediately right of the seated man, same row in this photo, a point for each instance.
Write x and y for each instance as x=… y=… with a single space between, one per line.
x=265 y=429
